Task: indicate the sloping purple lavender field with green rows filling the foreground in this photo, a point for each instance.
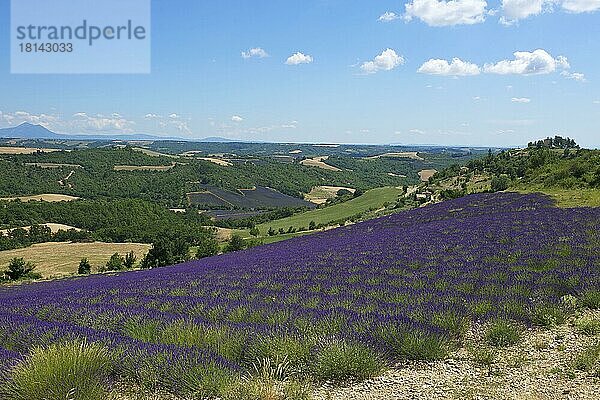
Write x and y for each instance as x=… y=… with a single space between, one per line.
x=402 y=287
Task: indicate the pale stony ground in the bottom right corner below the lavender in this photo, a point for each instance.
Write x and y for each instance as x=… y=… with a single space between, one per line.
x=539 y=367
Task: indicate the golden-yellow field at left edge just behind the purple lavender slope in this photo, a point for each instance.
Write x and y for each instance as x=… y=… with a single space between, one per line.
x=62 y=259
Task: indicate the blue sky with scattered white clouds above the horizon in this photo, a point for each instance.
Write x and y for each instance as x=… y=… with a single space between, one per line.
x=339 y=71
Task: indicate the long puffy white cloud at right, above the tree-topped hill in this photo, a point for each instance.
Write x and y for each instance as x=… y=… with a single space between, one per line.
x=526 y=63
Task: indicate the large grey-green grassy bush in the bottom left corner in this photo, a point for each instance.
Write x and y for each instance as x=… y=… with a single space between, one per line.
x=76 y=371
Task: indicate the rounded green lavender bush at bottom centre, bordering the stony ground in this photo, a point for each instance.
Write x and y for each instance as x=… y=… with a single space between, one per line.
x=338 y=360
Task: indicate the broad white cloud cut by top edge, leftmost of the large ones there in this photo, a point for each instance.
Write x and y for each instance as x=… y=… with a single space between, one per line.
x=447 y=13
